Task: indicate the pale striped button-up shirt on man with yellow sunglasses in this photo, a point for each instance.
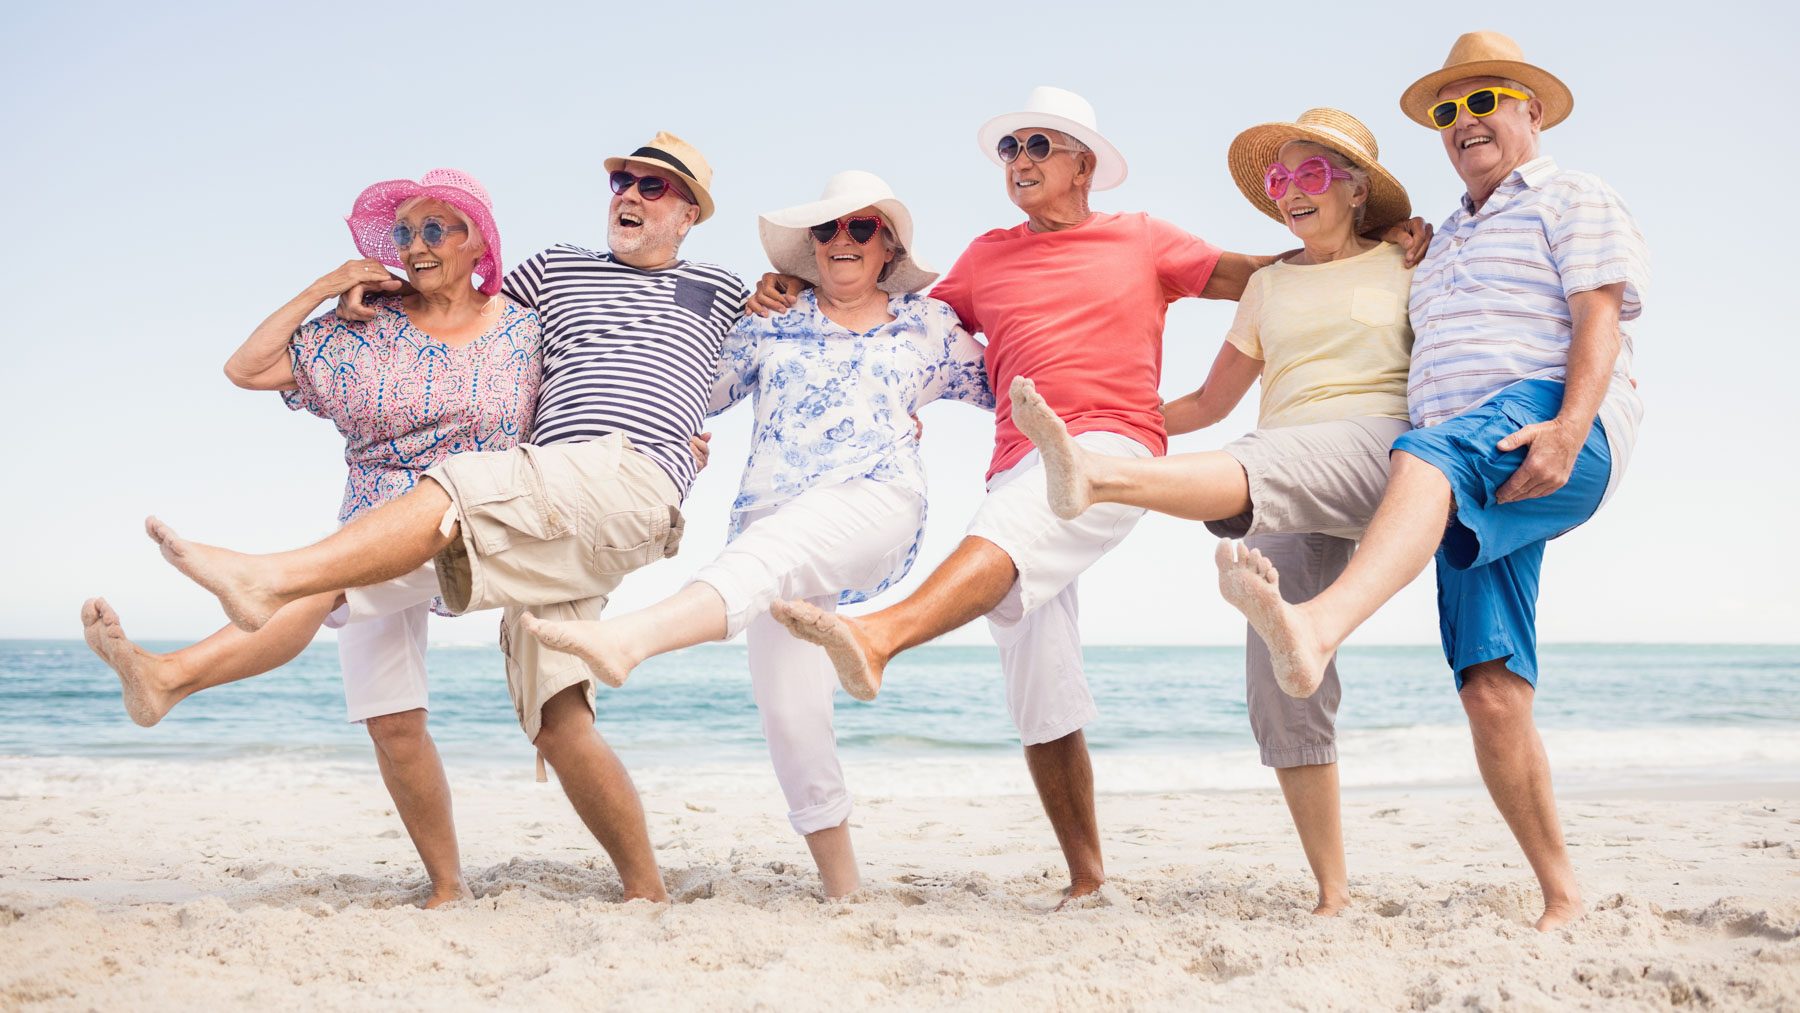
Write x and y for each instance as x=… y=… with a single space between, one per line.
x=1489 y=301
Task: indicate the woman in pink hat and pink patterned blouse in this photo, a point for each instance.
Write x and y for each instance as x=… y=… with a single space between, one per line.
x=447 y=368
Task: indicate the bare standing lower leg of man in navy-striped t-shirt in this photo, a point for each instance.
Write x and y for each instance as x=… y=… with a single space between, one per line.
x=600 y=791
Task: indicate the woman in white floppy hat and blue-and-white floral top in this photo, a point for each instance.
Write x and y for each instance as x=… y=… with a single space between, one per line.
x=832 y=503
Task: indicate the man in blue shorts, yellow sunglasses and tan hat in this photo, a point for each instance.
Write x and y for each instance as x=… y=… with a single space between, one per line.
x=1527 y=413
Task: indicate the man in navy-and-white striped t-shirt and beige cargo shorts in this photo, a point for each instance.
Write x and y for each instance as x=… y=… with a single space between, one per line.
x=631 y=343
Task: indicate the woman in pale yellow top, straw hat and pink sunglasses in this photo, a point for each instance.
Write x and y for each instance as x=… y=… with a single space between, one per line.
x=1327 y=334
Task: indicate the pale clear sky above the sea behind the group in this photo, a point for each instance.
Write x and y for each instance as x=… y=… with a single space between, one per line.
x=177 y=172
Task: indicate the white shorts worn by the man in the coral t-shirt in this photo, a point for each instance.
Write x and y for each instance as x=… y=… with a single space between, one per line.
x=1038 y=623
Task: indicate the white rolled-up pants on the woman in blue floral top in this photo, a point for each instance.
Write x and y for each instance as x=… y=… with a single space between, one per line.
x=818 y=544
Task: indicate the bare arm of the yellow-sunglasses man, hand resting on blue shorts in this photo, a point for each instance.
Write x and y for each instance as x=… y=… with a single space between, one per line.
x=1556 y=445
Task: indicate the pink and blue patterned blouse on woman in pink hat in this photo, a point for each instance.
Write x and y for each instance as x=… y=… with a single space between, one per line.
x=406 y=400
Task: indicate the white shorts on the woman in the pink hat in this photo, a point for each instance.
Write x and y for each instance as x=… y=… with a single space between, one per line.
x=382 y=645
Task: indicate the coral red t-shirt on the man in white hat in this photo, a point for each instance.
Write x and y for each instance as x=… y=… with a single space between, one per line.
x=1079 y=312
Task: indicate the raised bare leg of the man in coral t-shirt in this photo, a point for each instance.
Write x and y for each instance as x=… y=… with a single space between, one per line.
x=967 y=586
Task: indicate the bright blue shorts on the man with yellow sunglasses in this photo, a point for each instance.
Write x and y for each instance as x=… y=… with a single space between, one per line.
x=1493 y=553
